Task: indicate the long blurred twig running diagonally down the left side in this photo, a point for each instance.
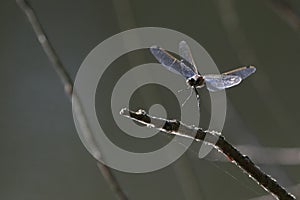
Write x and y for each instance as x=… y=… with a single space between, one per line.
x=68 y=86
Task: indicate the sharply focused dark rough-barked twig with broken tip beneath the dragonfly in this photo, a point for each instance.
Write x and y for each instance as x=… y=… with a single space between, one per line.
x=175 y=127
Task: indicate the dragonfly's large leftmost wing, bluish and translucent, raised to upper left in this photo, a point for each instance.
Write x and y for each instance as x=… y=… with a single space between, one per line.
x=171 y=63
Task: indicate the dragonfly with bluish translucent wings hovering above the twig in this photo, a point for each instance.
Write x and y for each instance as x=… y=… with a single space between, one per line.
x=186 y=67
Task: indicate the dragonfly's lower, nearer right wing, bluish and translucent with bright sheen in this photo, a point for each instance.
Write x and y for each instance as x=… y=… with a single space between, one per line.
x=216 y=82
